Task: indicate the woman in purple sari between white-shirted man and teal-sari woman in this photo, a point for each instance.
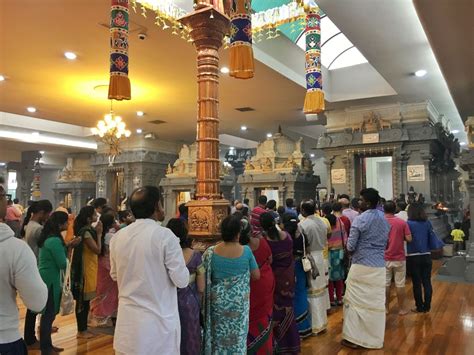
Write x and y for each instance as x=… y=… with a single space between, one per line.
x=189 y=297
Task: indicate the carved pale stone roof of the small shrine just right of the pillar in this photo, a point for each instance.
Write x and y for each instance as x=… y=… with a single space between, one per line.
x=279 y=154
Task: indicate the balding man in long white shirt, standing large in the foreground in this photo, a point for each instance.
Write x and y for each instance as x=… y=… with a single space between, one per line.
x=148 y=265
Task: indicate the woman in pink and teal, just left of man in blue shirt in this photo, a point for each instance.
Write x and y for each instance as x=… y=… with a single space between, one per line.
x=336 y=244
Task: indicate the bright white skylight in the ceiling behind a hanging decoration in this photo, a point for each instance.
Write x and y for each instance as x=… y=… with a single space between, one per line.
x=336 y=49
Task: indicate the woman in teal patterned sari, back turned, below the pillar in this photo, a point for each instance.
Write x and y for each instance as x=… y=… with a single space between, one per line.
x=229 y=267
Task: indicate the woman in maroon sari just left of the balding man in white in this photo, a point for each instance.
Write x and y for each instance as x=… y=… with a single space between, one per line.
x=105 y=305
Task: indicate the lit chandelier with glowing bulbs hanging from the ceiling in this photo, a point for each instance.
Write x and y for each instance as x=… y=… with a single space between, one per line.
x=110 y=131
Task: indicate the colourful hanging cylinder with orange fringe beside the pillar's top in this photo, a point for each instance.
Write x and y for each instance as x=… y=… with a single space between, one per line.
x=241 y=52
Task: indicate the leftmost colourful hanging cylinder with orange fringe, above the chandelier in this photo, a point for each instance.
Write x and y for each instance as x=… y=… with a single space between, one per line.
x=119 y=85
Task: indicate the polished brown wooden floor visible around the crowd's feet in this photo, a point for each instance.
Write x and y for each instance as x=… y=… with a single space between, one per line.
x=447 y=329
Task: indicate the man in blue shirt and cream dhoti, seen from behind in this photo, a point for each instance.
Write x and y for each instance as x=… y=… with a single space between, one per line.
x=364 y=301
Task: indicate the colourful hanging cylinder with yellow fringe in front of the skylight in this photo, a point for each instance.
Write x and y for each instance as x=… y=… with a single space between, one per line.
x=314 y=100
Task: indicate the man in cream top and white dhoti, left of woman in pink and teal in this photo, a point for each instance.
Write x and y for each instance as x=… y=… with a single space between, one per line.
x=315 y=232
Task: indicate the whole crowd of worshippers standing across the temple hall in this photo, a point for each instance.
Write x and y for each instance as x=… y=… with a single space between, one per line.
x=270 y=283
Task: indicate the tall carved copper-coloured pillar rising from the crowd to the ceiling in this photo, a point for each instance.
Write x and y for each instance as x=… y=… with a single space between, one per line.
x=208 y=27
